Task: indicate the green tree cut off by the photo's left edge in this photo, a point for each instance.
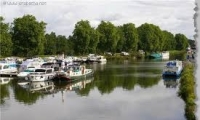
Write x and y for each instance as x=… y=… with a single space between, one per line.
x=5 y=39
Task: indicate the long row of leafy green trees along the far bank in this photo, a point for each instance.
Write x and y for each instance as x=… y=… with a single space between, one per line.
x=26 y=36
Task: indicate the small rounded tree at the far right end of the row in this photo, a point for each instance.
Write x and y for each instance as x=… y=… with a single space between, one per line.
x=181 y=42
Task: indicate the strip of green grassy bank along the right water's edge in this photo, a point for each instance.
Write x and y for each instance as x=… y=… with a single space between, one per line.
x=187 y=91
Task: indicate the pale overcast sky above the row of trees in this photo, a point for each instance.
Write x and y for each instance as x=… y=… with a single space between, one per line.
x=61 y=16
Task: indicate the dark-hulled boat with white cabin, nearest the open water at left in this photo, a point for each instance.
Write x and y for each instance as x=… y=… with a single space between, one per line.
x=74 y=71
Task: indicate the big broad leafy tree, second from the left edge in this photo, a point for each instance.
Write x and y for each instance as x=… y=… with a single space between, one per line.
x=28 y=36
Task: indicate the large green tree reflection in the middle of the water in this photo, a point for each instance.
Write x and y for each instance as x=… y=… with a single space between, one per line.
x=127 y=75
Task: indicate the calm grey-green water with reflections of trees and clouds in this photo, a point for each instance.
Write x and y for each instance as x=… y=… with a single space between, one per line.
x=119 y=90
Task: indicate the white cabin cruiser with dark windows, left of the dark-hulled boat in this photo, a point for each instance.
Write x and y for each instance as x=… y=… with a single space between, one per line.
x=41 y=74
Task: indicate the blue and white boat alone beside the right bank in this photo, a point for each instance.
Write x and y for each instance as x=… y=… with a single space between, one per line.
x=173 y=68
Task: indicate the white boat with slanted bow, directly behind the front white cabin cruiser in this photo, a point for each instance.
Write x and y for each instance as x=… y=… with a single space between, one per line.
x=22 y=75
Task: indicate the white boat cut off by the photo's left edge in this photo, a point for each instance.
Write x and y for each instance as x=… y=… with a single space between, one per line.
x=8 y=69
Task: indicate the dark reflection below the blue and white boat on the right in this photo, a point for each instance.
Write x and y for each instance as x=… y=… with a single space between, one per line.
x=171 y=82
